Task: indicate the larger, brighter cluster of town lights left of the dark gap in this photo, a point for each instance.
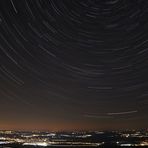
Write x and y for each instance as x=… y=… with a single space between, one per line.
x=42 y=140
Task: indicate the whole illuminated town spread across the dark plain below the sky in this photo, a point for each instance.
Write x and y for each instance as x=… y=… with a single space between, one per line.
x=73 y=139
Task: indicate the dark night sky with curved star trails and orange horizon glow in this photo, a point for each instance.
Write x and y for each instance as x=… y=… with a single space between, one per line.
x=73 y=64
